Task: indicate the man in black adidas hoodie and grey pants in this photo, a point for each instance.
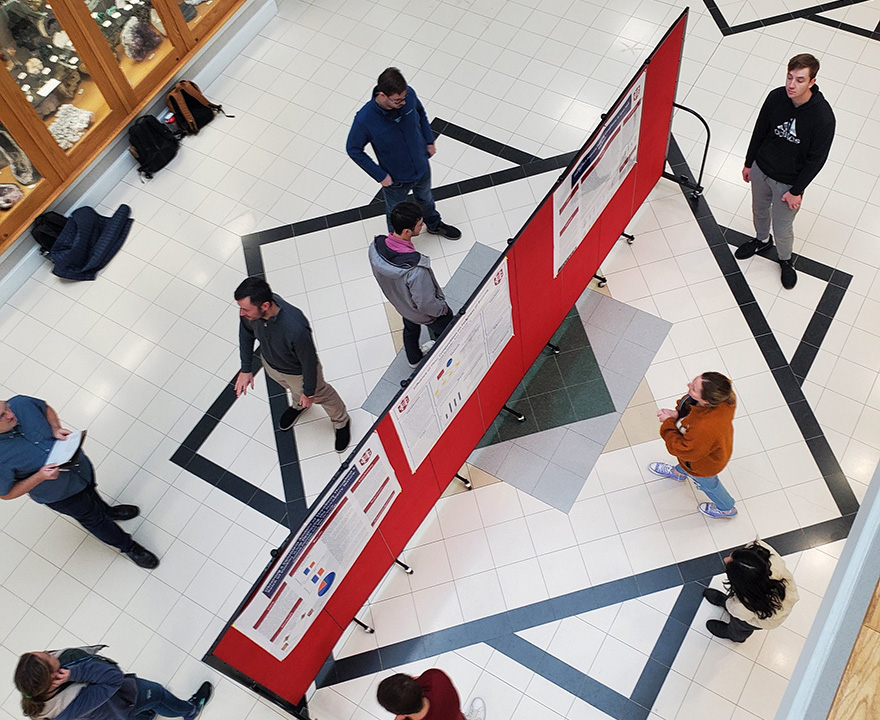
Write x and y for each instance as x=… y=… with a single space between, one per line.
x=789 y=146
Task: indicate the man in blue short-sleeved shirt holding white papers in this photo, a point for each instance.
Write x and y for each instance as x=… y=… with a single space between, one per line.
x=28 y=430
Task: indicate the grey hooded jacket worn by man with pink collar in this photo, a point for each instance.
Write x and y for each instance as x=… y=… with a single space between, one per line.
x=408 y=282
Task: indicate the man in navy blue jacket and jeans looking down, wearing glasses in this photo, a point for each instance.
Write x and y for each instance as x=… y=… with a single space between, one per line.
x=395 y=124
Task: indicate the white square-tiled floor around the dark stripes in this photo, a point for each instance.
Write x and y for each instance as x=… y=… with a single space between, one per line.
x=142 y=352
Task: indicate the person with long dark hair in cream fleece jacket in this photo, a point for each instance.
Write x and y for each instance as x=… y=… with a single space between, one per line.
x=760 y=592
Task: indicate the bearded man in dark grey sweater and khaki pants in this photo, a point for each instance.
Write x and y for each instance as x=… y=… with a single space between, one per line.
x=289 y=356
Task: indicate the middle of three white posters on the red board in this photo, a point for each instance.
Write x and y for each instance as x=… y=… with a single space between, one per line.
x=454 y=370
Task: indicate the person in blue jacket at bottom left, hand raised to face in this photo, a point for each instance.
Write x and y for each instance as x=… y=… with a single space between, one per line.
x=78 y=683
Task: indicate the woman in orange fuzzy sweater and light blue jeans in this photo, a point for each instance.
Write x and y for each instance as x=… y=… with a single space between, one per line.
x=699 y=433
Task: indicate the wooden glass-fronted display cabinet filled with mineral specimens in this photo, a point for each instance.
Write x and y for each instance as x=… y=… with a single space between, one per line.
x=99 y=56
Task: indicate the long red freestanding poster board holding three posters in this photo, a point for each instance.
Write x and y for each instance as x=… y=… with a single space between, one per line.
x=547 y=269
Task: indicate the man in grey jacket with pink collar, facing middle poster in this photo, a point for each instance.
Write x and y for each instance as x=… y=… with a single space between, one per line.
x=406 y=279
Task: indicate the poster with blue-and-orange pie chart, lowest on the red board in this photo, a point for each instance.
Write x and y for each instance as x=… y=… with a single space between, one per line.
x=323 y=551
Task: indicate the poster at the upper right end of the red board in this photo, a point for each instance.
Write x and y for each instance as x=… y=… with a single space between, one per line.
x=584 y=193
